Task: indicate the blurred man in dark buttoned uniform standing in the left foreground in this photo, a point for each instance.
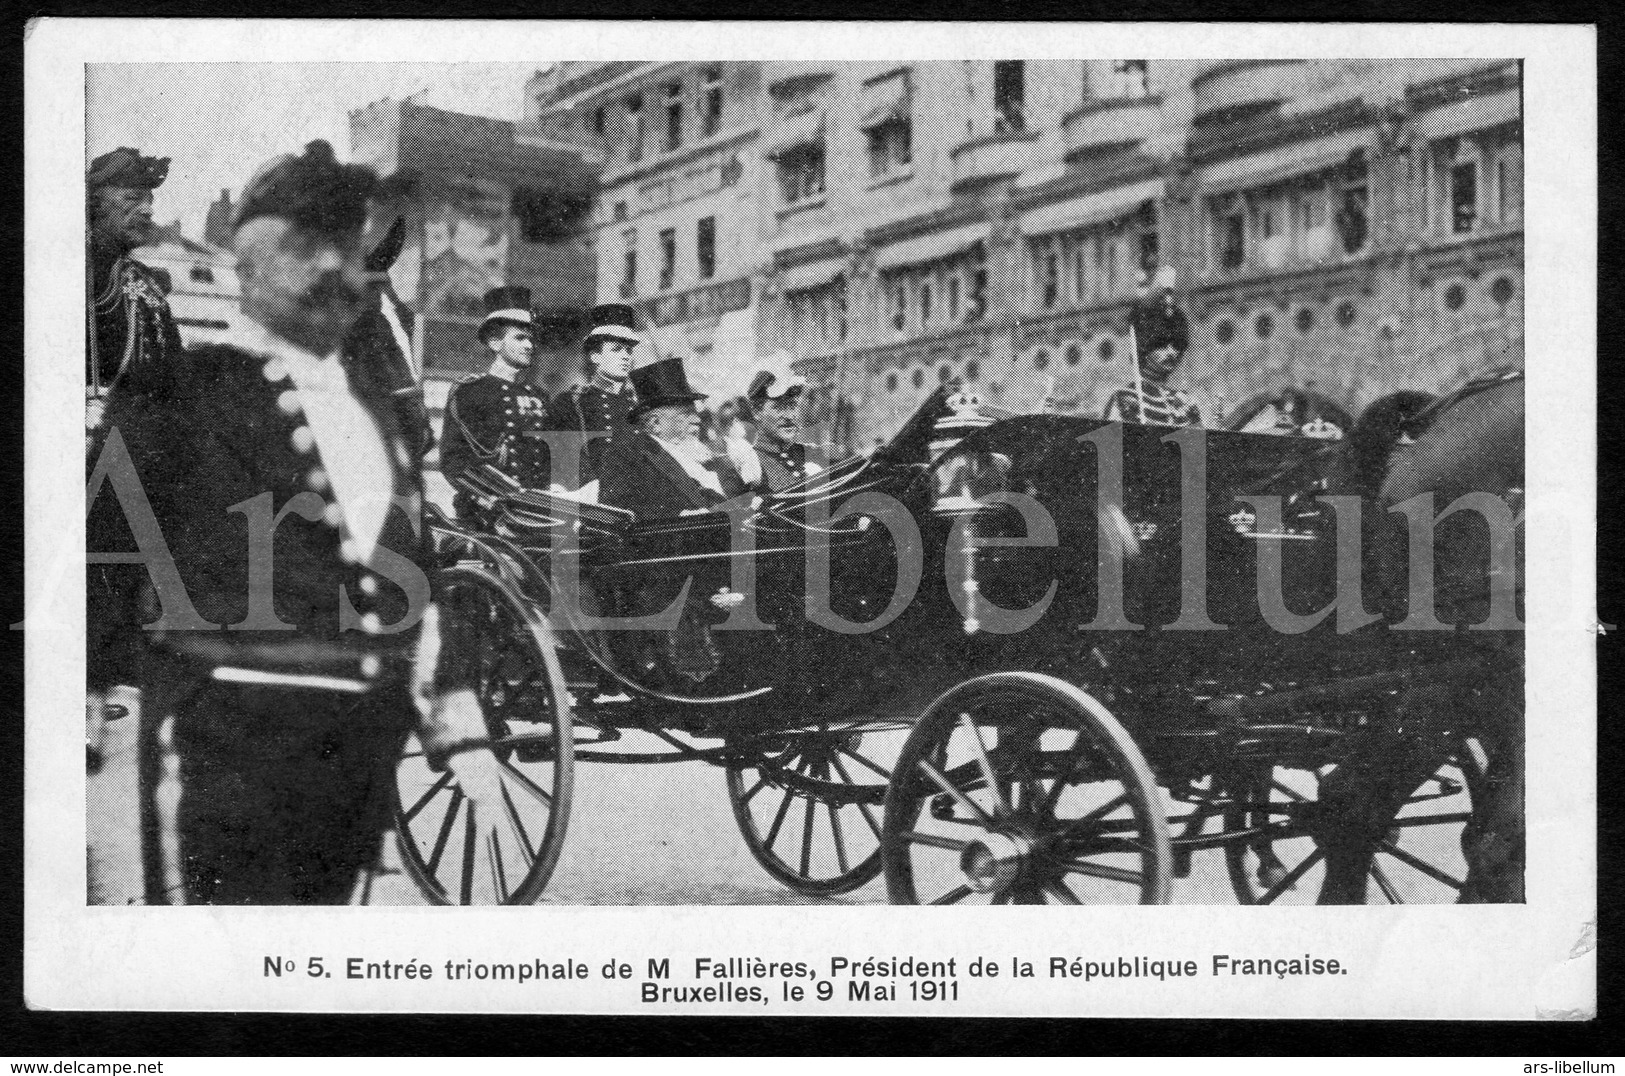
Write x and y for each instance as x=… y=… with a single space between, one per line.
x=285 y=592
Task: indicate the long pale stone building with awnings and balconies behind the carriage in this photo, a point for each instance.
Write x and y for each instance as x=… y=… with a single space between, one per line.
x=1345 y=228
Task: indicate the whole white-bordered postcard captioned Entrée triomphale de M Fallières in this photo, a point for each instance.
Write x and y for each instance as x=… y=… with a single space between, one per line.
x=594 y=518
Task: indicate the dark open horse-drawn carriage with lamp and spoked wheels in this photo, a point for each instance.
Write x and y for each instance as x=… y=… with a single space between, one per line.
x=1051 y=662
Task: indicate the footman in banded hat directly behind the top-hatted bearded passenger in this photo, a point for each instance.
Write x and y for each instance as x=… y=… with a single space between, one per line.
x=600 y=410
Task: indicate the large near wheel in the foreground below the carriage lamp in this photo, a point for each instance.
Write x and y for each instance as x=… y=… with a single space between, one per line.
x=1023 y=789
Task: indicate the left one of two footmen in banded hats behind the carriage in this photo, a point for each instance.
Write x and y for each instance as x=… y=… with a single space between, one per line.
x=500 y=417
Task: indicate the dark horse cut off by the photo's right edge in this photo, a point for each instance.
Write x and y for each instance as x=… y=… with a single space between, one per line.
x=1463 y=445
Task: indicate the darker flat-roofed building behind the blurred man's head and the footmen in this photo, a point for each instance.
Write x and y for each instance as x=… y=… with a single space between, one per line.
x=487 y=204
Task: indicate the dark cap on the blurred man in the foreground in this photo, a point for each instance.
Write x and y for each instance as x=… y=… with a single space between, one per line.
x=313 y=191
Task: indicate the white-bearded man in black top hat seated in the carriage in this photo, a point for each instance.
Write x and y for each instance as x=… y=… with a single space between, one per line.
x=665 y=469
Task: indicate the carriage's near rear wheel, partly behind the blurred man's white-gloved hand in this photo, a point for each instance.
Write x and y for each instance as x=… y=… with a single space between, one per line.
x=461 y=853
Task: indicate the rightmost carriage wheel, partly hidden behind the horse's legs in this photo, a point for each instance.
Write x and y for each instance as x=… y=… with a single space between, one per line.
x=1415 y=859
